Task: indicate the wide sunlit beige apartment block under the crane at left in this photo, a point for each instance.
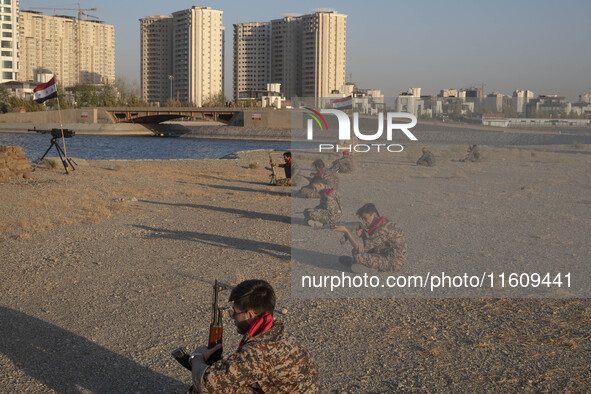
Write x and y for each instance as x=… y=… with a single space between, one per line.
x=75 y=51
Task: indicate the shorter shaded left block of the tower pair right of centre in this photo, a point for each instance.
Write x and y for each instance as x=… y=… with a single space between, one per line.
x=252 y=57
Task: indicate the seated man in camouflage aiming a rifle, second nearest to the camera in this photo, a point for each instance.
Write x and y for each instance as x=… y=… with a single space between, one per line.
x=384 y=246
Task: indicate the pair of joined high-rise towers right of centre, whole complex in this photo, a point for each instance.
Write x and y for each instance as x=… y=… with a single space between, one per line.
x=307 y=54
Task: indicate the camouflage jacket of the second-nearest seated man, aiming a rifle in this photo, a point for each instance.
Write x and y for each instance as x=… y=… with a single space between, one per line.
x=386 y=240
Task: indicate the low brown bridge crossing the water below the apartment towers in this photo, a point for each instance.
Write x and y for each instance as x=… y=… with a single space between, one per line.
x=155 y=115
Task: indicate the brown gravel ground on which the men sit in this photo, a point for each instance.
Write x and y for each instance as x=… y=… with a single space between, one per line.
x=105 y=271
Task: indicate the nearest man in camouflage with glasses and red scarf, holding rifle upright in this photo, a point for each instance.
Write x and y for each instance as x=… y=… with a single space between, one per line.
x=268 y=360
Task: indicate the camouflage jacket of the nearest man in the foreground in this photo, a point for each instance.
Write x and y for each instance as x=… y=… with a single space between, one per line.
x=271 y=362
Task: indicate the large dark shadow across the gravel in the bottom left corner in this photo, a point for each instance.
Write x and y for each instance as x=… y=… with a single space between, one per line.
x=66 y=362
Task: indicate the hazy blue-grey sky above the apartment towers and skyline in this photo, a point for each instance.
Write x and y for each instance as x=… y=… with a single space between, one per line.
x=541 y=46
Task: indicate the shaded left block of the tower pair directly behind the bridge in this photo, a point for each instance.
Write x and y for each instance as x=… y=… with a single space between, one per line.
x=156 y=58
